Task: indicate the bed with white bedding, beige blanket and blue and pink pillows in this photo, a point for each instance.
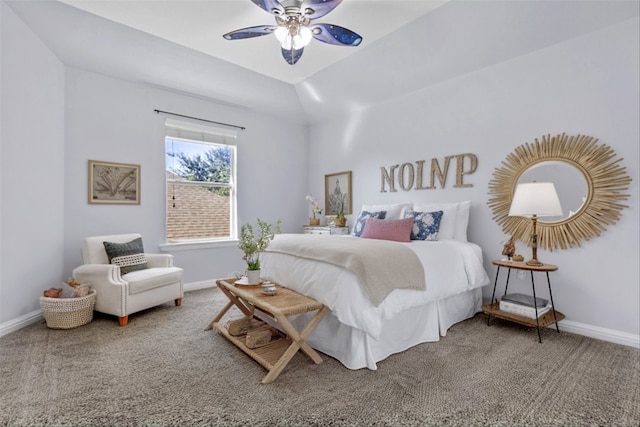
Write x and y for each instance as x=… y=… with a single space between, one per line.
x=363 y=326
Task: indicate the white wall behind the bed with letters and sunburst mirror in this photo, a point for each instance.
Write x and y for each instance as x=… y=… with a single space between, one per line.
x=588 y=85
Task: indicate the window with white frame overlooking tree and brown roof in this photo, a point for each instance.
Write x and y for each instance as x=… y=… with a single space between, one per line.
x=200 y=172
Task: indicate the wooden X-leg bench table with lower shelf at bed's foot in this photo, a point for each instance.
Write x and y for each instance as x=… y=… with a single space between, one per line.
x=277 y=354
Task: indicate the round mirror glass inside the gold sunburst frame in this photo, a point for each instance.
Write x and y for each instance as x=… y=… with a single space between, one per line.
x=570 y=184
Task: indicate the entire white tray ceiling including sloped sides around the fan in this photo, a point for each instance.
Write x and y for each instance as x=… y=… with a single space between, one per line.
x=181 y=47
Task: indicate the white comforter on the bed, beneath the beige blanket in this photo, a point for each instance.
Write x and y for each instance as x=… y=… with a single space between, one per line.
x=451 y=267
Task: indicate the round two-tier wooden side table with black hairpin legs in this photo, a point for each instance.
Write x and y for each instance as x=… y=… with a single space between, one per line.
x=493 y=308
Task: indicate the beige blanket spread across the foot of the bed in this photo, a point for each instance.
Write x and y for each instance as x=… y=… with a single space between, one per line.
x=381 y=265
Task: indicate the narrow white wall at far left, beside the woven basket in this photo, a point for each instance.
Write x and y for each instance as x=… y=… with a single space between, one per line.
x=32 y=183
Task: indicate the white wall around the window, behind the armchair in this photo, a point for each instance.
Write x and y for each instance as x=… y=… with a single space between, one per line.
x=113 y=120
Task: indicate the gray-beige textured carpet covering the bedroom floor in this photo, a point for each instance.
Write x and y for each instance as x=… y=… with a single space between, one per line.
x=163 y=369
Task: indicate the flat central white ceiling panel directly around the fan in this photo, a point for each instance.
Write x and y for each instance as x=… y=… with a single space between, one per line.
x=200 y=24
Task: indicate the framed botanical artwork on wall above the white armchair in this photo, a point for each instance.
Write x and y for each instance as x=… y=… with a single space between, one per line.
x=114 y=183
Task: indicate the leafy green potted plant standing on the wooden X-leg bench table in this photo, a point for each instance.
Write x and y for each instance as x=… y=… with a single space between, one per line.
x=252 y=243
